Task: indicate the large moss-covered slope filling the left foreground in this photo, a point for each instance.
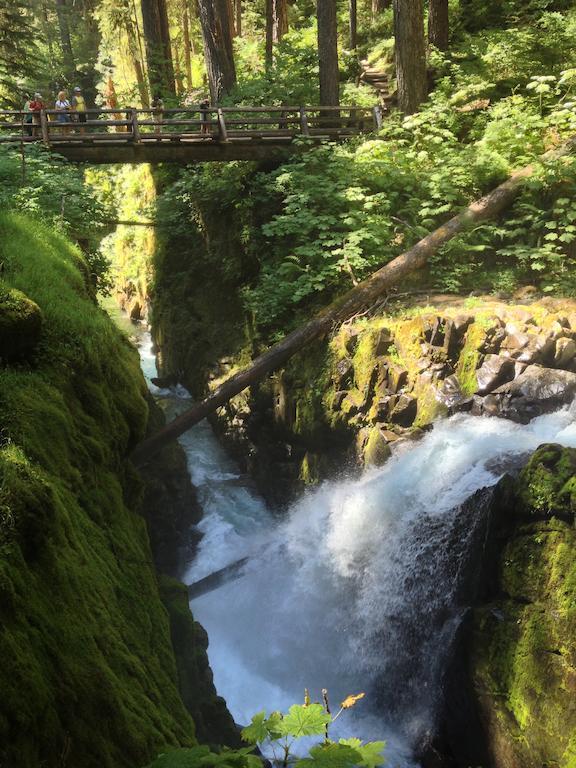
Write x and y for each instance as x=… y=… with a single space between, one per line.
x=88 y=669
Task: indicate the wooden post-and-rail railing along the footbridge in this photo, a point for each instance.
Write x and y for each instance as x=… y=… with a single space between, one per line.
x=222 y=124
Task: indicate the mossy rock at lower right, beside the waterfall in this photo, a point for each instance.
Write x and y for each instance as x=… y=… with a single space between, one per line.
x=525 y=646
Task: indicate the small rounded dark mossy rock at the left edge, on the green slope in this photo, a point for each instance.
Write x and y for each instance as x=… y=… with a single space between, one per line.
x=20 y=323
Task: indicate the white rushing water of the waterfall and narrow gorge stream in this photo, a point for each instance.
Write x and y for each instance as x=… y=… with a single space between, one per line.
x=357 y=590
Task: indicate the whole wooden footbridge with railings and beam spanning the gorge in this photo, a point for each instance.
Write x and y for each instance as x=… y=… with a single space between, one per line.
x=186 y=134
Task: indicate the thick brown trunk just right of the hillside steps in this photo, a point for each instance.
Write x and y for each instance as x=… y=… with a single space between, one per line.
x=410 y=54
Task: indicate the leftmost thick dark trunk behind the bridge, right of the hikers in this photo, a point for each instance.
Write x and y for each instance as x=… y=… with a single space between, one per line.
x=158 y=50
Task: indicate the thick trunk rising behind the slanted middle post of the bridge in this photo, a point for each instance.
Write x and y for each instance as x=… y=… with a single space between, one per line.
x=218 y=51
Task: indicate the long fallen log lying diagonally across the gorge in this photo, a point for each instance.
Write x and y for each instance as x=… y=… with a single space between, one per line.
x=361 y=296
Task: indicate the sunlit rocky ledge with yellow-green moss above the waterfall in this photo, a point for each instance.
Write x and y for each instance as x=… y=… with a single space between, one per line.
x=382 y=380
